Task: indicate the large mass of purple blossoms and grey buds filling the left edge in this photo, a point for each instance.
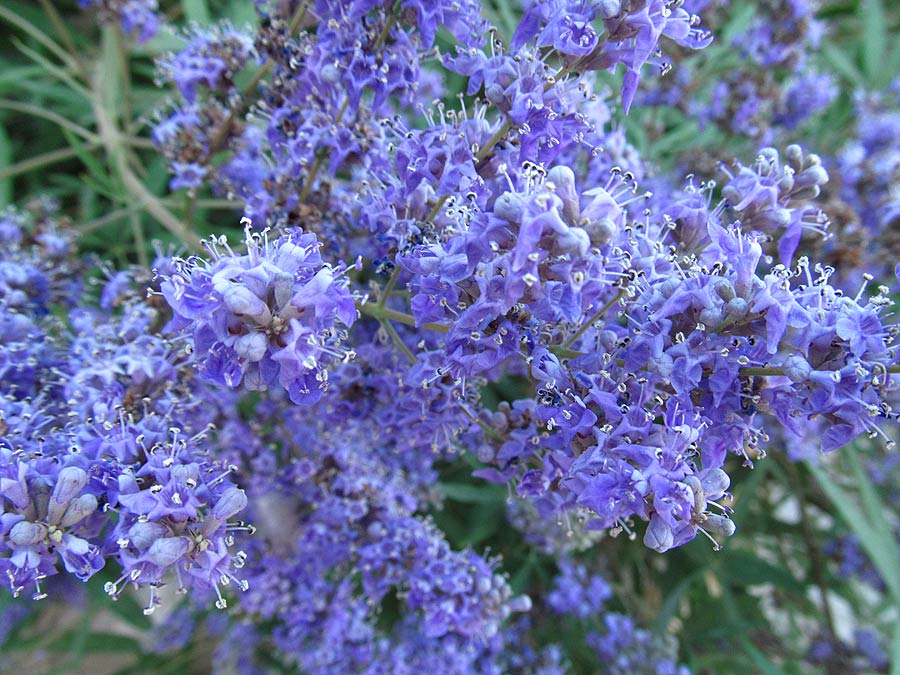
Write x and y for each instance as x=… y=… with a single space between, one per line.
x=93 y=466
